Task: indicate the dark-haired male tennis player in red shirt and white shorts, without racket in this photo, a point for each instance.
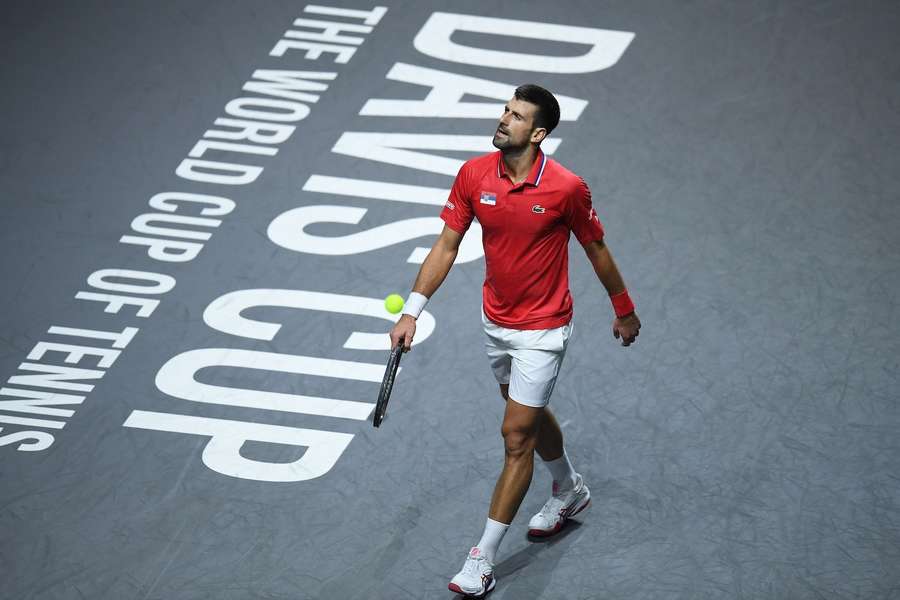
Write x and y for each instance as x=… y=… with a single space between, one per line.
x=527 y=205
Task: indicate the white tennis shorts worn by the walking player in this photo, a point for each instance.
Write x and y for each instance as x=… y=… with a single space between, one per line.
x=527 y=359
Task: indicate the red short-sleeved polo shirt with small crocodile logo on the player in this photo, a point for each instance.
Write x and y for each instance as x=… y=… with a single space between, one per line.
x=525 y=235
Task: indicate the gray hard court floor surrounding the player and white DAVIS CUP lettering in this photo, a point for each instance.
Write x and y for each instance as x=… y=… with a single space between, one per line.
x=743 y=158
